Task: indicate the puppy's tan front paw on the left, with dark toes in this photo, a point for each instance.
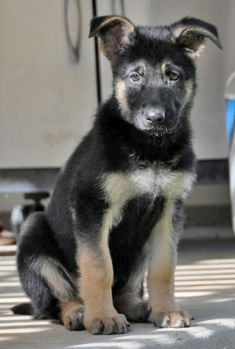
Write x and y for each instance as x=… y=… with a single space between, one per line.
x=104 y=324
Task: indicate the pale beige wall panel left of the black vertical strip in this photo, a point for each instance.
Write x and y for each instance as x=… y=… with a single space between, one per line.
x=47 y=100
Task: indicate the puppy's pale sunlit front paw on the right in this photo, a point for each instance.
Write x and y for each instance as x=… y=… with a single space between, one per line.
x=175 y=319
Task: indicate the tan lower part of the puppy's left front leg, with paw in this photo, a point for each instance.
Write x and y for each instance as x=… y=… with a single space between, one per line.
x=95 y=286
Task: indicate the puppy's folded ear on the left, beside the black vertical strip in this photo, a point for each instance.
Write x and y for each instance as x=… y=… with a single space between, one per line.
x=115 y=32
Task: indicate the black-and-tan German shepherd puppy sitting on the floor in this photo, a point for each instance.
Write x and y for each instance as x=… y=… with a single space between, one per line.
x=116 y=211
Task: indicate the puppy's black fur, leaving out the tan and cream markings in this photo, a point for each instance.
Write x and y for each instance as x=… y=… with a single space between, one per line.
x=116 y=144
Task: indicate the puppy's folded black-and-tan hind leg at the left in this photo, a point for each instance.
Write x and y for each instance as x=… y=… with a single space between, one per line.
x=44 y=279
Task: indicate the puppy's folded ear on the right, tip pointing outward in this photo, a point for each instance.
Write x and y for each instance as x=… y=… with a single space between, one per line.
x=191 y=34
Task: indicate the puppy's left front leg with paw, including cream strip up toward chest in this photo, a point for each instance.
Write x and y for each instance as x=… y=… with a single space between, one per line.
x=96 y=278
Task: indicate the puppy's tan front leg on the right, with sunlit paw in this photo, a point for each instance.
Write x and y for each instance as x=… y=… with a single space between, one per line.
x=160 y=279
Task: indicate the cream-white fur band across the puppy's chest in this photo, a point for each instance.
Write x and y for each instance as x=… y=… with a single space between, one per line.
x=121 y=187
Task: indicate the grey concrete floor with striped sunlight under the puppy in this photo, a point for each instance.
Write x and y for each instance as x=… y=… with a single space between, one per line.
x=205 y=286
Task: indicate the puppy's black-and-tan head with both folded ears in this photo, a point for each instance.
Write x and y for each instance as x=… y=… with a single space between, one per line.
x=153 y=68
